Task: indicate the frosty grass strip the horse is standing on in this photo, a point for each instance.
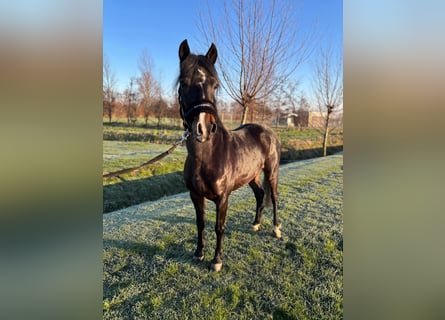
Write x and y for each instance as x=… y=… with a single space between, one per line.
x=149 y=272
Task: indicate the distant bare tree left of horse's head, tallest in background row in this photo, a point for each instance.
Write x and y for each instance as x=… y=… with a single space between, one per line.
x=147 y=85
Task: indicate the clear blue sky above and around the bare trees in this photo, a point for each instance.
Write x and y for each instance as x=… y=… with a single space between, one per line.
x=131 y=26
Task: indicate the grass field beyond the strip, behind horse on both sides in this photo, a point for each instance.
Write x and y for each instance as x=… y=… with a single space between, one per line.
x=128 y=146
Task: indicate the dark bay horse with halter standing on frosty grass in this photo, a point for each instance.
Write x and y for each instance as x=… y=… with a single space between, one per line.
x=220 y=161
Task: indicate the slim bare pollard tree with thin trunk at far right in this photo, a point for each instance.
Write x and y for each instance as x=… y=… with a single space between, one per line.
x=327 y=85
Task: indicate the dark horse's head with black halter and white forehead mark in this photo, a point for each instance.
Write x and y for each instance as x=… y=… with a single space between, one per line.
x=198 y=83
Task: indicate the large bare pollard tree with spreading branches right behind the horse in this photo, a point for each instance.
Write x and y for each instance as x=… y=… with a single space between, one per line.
x=260 y=44
